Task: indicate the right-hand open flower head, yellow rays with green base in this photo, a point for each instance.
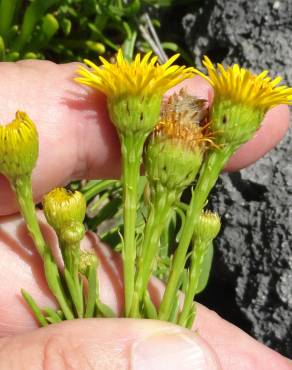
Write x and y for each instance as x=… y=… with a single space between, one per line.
x=241 y=101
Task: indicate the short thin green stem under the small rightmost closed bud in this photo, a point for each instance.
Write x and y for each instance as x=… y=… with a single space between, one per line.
x=195 y=270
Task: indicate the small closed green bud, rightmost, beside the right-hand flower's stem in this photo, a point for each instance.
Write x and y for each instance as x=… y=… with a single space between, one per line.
x=207 y=227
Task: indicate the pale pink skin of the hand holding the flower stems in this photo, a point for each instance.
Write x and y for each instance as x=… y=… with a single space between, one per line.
x=78 y=141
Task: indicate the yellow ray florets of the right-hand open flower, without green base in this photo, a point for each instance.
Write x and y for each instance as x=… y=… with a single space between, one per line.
x=242 y=86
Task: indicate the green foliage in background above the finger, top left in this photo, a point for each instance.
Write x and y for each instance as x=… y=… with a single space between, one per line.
x=70 y=30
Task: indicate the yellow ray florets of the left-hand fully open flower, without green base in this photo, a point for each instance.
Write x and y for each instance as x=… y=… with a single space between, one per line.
x=143 y=76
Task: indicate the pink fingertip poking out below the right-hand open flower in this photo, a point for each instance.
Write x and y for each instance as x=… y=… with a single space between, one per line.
x=274 y=127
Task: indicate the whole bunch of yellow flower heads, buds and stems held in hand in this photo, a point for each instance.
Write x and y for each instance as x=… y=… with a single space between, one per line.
x=182 y=130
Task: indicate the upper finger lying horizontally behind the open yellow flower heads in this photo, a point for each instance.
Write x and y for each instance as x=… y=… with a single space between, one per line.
x=77 y=139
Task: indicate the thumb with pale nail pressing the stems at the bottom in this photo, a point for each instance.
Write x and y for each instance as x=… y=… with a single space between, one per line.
x=108 y=344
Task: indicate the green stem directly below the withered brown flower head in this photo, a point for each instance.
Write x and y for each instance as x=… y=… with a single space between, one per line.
x=157 y=219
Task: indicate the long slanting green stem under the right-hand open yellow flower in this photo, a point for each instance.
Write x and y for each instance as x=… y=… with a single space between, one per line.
x=208 y=176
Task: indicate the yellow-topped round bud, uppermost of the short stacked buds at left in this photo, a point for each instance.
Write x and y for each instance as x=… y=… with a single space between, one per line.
x=62 y=207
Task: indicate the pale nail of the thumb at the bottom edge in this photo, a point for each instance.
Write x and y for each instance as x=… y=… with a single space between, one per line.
x=173 y=350
